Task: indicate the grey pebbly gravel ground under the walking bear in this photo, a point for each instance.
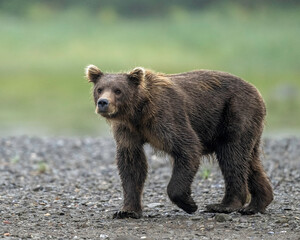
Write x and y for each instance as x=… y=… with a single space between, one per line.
x=68 y=188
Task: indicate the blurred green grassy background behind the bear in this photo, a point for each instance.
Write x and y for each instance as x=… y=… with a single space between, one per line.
x=45 y=46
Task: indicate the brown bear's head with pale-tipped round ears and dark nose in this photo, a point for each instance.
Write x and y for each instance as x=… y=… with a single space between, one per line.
x=116 y=95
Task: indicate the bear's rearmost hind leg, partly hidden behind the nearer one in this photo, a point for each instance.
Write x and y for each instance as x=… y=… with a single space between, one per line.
x=259 y=186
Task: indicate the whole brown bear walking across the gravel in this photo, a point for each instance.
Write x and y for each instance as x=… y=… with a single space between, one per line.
x=187 y=116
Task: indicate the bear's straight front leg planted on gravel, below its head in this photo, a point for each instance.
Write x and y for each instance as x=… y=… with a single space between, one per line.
x=132 y=165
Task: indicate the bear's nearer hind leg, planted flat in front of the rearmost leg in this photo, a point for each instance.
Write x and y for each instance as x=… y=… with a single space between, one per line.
x=233 y=161
